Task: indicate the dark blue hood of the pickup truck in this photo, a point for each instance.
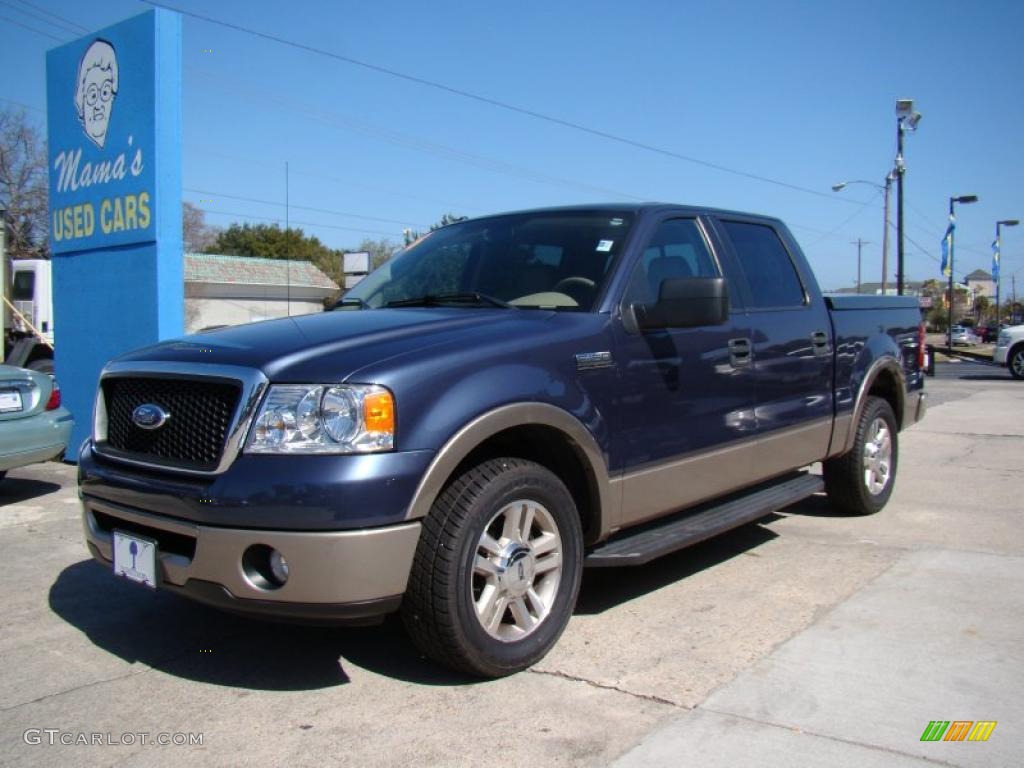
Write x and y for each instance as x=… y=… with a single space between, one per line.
x=330 y=347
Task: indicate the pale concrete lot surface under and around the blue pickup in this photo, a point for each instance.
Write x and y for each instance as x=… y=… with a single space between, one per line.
x=806 y=639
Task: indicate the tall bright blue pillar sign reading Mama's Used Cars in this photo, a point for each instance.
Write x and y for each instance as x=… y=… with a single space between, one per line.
x=114 y=113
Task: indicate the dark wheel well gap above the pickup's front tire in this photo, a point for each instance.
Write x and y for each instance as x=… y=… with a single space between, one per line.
x=558 y=452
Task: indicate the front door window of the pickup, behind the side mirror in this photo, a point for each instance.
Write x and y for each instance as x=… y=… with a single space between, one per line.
x=676 y=250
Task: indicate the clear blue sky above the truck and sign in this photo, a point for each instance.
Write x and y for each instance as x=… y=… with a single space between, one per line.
x=797 y=92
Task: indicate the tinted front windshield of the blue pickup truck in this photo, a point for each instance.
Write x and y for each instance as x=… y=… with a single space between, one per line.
x=550 y=261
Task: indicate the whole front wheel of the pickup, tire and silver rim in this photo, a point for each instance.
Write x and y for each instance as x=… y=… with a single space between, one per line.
x=497 y=570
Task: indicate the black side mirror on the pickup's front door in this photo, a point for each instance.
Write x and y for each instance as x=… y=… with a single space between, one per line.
x=686 y=303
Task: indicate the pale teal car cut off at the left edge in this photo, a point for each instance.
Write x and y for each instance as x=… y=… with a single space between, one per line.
x=34 y=428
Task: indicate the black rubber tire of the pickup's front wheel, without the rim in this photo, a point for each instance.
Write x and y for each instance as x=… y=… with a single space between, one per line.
x=440 y=609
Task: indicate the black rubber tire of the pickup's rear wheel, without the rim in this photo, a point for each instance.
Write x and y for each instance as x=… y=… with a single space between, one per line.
x=846 y=477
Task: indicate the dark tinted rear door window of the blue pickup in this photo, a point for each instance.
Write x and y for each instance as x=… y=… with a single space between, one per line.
x=771 y=273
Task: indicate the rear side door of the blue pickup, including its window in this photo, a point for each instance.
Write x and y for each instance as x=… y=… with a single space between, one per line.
x=791 y=342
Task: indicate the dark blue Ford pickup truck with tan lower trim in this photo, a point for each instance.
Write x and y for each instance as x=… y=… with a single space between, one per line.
x=505 y=403
